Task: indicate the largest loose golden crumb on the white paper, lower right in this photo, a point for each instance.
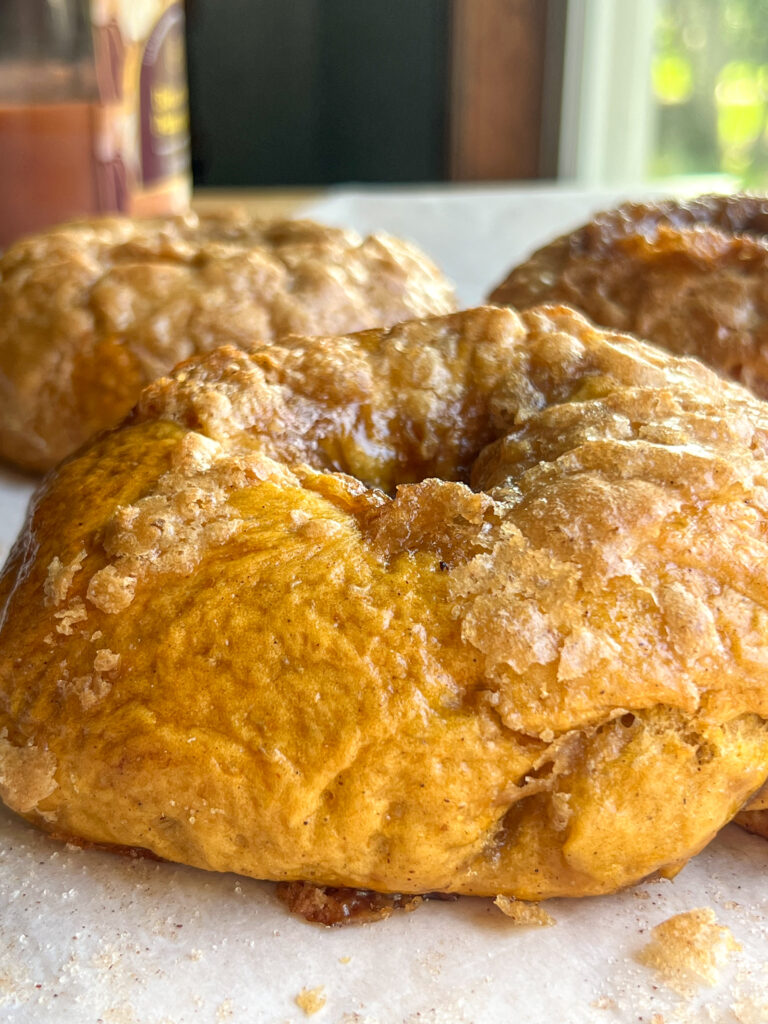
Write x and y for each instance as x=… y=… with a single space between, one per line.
x=688 y=950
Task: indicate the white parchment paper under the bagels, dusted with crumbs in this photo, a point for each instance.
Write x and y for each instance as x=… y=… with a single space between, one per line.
x=90 y=937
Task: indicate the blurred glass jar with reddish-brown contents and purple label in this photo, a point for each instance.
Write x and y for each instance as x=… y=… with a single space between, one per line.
x=94 y=111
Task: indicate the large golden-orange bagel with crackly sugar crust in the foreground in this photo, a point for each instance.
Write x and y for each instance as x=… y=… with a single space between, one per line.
x=268 y=626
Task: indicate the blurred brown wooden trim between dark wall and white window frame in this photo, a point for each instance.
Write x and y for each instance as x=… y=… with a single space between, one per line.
x=505 y=84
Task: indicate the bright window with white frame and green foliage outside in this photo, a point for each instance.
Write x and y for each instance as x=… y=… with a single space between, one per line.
x=666 y=89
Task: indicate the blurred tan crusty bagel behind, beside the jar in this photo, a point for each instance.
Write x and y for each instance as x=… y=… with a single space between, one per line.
x=93 y=311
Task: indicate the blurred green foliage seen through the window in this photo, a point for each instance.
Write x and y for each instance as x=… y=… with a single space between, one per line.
x=710 y=80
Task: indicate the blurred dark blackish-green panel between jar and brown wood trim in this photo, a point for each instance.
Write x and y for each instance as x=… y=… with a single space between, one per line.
x=318 y=92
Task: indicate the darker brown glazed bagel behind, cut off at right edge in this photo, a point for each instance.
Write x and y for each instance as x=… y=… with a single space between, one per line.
x=690 y=275
